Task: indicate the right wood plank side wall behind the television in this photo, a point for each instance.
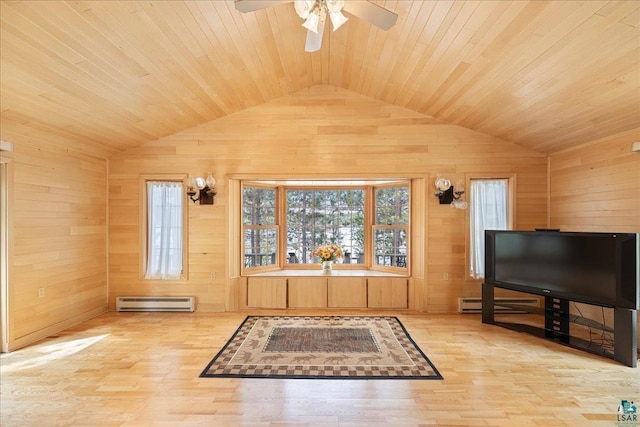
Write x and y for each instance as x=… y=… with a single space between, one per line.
x=596 y=187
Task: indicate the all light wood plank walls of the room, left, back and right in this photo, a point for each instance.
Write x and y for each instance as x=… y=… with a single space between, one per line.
x=58 y=200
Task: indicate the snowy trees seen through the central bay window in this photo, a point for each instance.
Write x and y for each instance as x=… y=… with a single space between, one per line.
x=317 y=215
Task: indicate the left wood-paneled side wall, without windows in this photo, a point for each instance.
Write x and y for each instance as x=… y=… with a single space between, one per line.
x=57 y=242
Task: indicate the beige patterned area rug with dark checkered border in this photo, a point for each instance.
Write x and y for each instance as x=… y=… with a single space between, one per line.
x=338 y=347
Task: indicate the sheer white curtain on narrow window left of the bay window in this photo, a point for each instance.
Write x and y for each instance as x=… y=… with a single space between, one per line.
x=164 y=233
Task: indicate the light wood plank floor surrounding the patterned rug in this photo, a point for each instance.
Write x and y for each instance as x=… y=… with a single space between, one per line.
x=141 y=369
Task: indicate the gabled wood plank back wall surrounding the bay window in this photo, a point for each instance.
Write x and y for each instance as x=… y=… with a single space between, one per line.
x=321 y=131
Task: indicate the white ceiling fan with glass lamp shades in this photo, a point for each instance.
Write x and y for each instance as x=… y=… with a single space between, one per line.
x=315 y=12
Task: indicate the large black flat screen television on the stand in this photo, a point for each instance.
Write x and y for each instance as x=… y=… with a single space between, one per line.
x=594 y=268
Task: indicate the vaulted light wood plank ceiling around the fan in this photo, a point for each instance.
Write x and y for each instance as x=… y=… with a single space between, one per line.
x=109 y=75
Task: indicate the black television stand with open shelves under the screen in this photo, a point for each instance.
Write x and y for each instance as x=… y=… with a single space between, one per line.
x=557 y=323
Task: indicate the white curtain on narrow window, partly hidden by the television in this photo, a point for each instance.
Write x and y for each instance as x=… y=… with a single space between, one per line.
x=488 y=211
